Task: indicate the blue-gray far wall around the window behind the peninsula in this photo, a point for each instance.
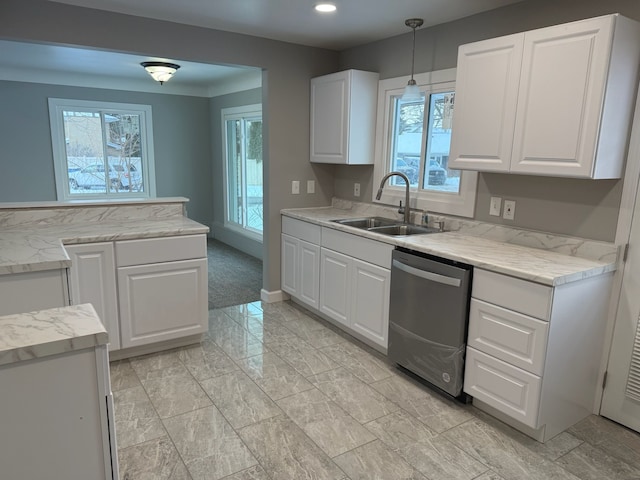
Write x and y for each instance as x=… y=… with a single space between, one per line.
x=181 y=142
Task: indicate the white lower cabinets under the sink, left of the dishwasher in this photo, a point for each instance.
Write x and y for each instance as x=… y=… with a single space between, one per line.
x=344 y=277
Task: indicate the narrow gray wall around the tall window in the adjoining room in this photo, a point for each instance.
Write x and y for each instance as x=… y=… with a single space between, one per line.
x=249 y=97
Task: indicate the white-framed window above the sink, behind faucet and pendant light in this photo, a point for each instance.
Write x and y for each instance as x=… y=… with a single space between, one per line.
x=413 y=137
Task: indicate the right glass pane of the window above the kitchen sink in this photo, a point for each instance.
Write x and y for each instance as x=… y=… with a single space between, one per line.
x=437 y=175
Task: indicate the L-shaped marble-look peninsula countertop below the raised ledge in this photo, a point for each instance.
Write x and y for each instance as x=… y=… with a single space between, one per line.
x=41 y=247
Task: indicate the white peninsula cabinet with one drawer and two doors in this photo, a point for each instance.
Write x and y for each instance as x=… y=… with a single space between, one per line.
x=145 y=291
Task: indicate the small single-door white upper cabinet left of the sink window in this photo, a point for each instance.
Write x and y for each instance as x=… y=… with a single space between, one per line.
x=343 y=113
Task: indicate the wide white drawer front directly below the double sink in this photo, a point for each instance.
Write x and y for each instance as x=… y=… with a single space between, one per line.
x=355 y=246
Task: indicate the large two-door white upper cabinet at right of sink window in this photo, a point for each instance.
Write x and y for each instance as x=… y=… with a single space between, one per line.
x=555 y=101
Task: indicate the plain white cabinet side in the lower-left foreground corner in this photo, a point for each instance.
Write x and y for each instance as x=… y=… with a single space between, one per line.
x=57 y=418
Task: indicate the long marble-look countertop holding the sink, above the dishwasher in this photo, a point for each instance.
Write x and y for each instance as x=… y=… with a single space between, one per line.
x=537 y=265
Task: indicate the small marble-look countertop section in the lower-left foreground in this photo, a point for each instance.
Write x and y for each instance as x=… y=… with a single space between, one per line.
x=27 y=336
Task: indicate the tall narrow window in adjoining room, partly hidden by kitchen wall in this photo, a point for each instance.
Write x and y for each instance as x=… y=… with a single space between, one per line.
x=242 y=133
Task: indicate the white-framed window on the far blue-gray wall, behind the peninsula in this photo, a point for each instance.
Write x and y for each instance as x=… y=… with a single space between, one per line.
x=101 y=150
